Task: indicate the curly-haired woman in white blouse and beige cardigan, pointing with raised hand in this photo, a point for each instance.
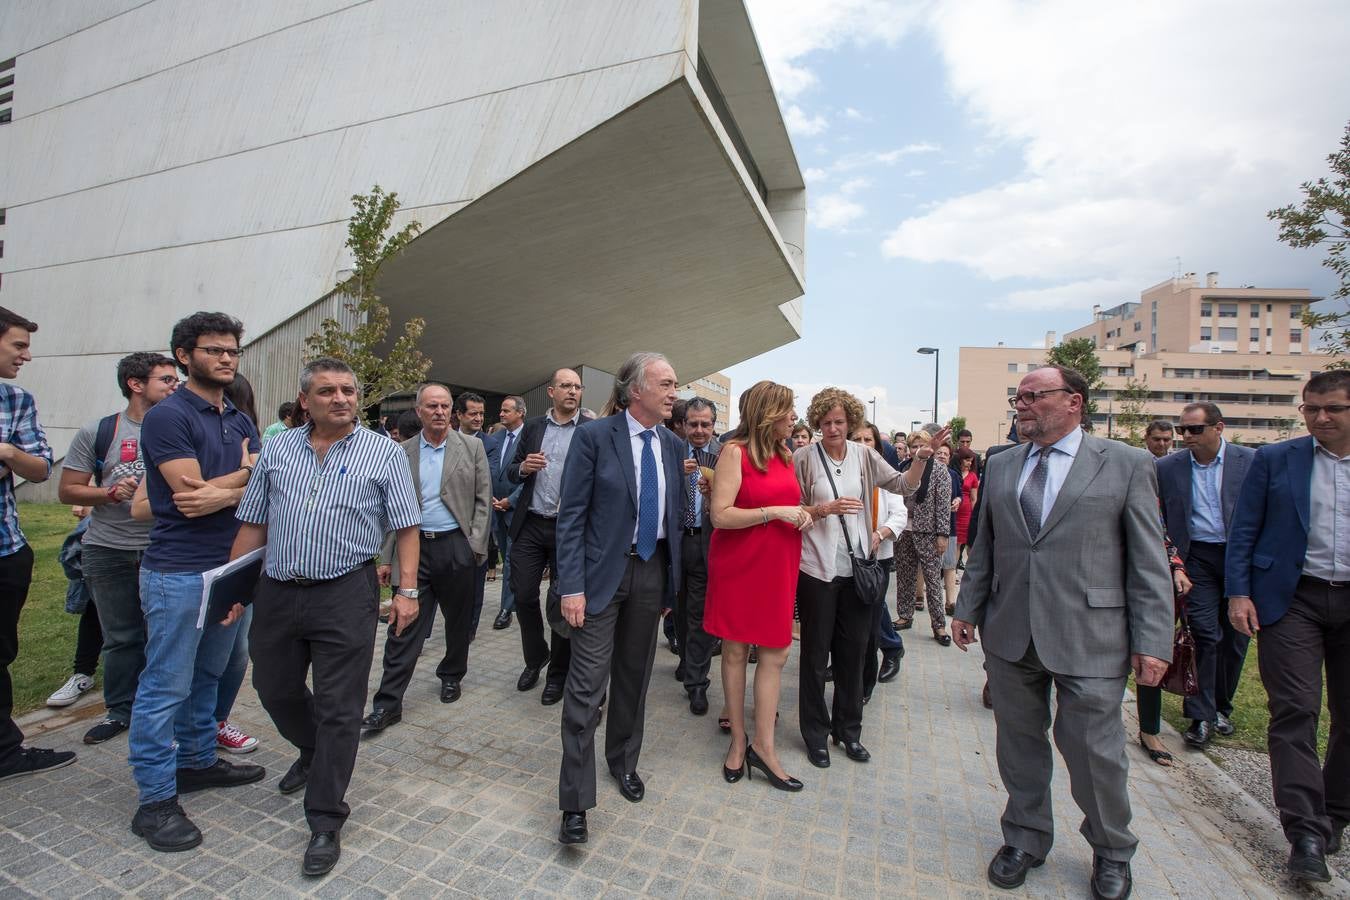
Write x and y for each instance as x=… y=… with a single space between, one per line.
x=838 y=477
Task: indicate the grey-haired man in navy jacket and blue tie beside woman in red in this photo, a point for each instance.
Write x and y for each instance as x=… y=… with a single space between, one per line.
x=619 y=528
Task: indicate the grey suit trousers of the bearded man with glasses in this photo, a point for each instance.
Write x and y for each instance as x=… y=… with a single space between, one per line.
x=1089 y=733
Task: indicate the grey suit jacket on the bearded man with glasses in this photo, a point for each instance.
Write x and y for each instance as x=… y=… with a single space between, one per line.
x=1094 y=586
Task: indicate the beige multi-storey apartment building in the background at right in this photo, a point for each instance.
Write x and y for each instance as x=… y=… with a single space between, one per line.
x=1241 y=349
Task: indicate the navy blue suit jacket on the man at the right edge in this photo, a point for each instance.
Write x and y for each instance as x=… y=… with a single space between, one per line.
x=1268 y=538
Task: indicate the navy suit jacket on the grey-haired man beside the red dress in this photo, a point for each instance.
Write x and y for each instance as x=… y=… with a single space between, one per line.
x=599 y=509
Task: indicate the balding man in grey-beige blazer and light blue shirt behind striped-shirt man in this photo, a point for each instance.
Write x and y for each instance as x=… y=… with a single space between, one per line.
x=450 y=474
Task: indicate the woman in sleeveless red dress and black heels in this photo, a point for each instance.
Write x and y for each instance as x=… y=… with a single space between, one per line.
x=753 y=566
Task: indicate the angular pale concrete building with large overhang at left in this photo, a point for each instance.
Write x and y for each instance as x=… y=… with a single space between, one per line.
x=591 y=175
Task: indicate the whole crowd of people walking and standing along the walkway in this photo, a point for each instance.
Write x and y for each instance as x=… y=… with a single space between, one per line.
x=1081 y=555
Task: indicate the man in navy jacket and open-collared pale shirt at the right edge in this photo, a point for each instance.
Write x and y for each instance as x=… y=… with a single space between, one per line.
x=1289 y=573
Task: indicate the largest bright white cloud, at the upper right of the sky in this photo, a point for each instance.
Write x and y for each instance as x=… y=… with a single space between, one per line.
x=1144 y=136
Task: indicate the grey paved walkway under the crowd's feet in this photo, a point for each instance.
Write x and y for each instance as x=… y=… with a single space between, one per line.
x=462 y=801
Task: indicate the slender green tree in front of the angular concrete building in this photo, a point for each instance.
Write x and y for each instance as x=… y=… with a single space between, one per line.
x=372 y=246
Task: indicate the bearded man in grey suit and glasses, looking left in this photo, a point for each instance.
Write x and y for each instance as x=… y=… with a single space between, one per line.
x=1070 y=588
